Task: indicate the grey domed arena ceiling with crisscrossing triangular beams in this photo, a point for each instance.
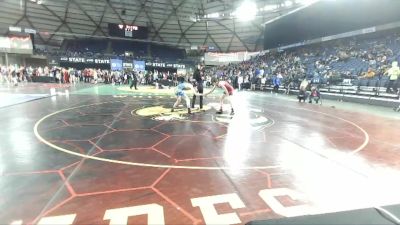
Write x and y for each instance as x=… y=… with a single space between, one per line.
x=176 y=22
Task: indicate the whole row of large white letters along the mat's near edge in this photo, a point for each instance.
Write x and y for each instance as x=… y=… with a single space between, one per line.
x=155 y=212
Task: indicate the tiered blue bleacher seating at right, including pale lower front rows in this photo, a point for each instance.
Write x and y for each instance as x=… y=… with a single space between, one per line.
x=336 y=67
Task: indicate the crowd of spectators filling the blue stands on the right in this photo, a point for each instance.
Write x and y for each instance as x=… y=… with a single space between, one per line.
x=328 y=63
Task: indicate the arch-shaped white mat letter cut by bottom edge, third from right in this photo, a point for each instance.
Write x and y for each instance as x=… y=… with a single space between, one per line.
x=120 y=216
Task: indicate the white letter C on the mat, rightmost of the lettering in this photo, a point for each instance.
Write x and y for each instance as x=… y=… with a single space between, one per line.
x=269 y=197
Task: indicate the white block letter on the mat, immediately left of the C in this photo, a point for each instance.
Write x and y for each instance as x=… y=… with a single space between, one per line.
x=210 y=214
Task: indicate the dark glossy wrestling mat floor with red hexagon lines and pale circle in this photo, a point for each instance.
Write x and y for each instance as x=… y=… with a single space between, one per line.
x=86 y=157
